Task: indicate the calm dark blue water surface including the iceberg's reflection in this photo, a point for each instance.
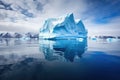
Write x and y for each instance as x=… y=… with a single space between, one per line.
x=59 y=60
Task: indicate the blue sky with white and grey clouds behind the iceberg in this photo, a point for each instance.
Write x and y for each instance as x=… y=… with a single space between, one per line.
x=99 y=16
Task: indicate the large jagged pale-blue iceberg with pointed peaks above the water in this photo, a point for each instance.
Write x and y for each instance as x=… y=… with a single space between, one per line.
x=65 y=27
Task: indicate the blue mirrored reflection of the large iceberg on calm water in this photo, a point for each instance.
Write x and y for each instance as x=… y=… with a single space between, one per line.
x=65 y=50
